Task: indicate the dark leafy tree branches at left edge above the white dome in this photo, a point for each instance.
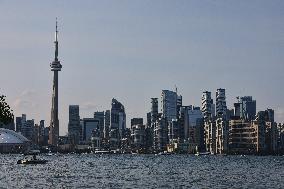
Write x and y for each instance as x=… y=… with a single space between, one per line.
x=6 y=114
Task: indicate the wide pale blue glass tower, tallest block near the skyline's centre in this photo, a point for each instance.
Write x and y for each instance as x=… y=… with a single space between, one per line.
x=169 y=105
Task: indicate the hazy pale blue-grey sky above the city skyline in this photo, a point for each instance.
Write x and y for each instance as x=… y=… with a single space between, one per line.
x=132 y=49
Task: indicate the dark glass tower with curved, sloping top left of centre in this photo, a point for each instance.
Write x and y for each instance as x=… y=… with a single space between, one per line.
x=118 y=117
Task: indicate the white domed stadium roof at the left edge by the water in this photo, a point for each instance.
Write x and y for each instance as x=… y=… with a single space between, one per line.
x=12 y=142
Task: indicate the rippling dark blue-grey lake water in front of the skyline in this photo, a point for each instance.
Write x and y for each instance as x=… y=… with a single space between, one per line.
x=144 y=171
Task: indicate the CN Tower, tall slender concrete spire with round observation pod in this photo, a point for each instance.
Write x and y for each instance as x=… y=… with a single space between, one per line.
x=54 y=121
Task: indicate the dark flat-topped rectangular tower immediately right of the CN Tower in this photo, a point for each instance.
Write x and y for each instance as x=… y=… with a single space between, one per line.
x=74 y=128
